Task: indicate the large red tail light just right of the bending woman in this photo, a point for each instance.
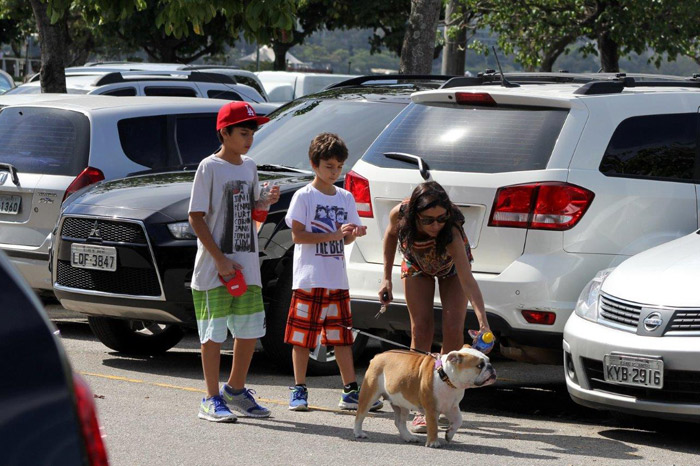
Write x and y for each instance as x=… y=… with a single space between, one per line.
x=540 y=206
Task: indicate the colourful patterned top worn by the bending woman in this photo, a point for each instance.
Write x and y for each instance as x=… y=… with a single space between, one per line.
x=423 y=260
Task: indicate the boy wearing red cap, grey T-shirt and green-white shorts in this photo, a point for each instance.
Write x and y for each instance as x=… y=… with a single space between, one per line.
x=225 y=193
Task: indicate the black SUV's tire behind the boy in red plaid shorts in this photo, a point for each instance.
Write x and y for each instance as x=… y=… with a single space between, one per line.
x=322 y=359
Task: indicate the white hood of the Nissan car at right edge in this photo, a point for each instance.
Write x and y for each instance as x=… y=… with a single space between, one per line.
x=667 y=275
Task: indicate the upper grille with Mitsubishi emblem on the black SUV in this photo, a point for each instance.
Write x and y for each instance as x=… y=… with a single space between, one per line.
x=118 y=232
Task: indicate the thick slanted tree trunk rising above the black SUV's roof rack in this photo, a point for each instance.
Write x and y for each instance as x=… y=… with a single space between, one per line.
x=419 y=40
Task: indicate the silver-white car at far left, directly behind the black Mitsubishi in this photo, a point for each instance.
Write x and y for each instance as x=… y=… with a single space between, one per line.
x=51 y=149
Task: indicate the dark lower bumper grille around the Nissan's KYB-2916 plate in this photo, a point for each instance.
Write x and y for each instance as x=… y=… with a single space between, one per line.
x=679 y=386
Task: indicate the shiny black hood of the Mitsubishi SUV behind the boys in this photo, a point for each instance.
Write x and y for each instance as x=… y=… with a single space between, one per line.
x=166 y=193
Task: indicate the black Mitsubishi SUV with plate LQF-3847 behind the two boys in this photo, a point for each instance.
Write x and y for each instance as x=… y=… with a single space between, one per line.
x=137 y=294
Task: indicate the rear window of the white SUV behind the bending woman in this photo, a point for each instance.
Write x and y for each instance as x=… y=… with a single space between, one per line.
x=453 y=137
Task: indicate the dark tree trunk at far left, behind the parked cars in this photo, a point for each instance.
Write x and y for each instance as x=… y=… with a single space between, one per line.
x=52 y=39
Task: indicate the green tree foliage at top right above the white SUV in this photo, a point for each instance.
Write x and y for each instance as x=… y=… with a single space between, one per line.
x=539 y=31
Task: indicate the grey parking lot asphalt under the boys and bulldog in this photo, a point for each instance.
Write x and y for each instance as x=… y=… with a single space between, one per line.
x=148 y=410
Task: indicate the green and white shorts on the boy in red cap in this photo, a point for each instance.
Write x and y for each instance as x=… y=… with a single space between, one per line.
x=216 y=310
